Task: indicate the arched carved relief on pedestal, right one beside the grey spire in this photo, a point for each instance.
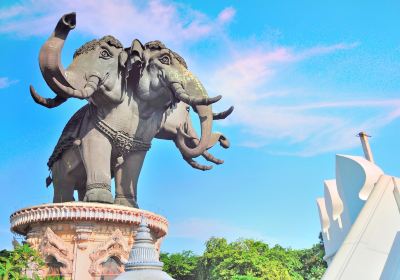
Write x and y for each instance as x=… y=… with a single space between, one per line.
x=114 y=247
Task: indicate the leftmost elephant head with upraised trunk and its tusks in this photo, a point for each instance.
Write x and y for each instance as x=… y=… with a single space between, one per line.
x=97 y=66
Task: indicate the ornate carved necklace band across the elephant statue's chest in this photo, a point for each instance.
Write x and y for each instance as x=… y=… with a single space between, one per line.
x=122 y=141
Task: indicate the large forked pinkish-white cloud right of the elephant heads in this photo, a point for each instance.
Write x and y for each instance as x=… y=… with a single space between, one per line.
x=308 y=126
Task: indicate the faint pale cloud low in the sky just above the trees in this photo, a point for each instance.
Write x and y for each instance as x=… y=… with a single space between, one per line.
x=201 y=229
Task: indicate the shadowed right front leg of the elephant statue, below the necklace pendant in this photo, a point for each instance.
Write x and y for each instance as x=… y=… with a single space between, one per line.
x=126 y=179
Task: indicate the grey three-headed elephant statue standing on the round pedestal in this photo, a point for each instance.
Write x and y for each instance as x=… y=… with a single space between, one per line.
x=129 y=91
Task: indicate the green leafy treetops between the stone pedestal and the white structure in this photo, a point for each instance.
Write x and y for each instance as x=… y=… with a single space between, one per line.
x=246 y=259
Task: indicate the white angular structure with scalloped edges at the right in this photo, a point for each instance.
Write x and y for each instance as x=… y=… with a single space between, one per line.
x=360 y=220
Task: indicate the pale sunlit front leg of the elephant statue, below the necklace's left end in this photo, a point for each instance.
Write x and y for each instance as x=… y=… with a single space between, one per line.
x=96 y=154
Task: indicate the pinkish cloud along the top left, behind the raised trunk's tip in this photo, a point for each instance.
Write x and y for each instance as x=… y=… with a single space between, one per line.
x=155 y=19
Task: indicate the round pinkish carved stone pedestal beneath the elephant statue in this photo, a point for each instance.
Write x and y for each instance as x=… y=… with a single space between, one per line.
x=84 y=240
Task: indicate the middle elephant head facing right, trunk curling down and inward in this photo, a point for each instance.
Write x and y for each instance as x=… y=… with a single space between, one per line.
x=164 y=77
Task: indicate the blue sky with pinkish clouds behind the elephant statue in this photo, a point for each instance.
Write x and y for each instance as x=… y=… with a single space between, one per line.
x=304 y=76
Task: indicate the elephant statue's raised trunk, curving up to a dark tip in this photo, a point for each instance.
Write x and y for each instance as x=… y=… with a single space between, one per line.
x=50 y=54
